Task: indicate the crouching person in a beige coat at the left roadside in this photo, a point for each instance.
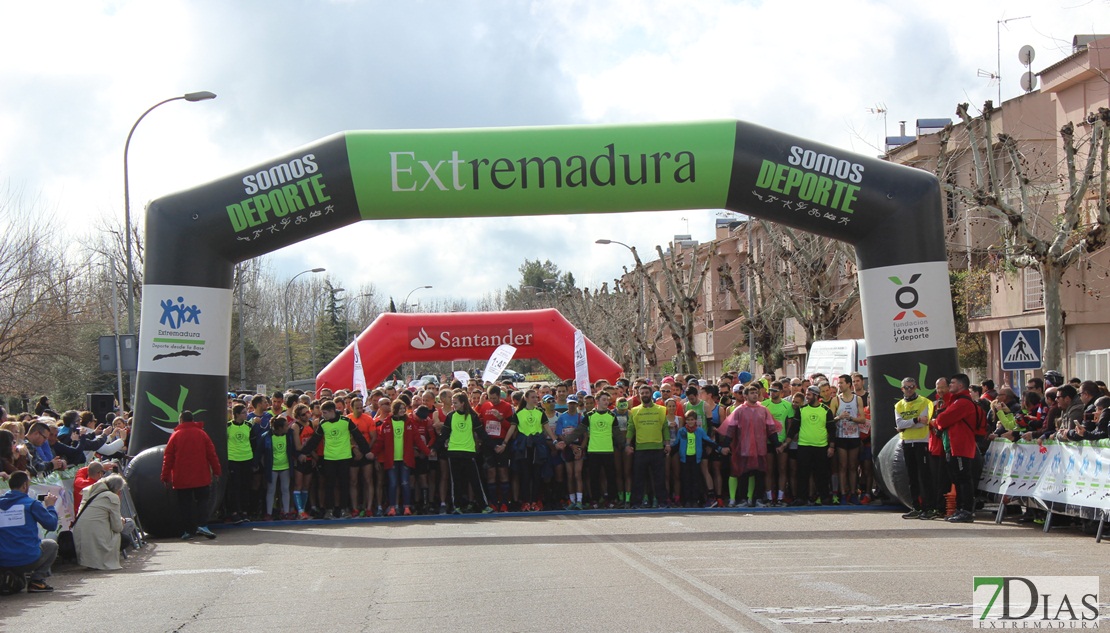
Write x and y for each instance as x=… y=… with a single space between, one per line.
x=97 y=535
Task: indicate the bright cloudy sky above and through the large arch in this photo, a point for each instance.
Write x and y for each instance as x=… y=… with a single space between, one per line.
x=76 y=76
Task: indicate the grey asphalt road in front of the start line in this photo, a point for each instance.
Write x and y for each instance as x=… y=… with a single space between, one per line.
x=796 y=570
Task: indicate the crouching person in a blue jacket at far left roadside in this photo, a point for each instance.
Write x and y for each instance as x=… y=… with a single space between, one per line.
x=23 y=550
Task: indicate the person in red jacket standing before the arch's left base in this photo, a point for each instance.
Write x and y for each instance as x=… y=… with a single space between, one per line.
x=188 y=467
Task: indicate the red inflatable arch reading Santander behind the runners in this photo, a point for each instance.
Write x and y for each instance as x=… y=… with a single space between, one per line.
x=395 y=339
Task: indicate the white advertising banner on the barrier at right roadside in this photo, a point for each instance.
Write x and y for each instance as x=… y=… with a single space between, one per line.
x=1075 y=474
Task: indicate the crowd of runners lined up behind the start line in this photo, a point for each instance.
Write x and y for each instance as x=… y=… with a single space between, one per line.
x=495 y=448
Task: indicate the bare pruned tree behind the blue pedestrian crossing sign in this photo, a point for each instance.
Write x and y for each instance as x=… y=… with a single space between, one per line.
x=1072 y=229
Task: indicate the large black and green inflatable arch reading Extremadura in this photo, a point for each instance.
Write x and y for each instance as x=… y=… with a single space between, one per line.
x=891 y=214
